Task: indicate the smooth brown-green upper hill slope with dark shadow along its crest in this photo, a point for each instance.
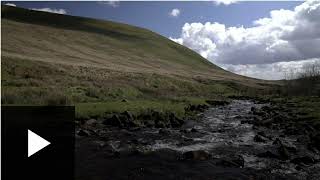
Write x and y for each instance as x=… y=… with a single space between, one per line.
x=81 y=41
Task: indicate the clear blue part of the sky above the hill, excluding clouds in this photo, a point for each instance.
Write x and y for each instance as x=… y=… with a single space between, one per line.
x=155 y=15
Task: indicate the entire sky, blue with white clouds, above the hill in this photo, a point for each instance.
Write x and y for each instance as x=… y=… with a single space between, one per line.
x=257 y=39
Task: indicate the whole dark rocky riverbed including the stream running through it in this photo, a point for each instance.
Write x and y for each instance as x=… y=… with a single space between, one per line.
x=241 y=140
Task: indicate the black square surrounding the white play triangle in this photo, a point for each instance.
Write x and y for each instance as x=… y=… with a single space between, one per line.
x=53 y=123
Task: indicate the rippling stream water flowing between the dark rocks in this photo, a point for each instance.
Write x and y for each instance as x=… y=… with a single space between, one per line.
x=218 y=131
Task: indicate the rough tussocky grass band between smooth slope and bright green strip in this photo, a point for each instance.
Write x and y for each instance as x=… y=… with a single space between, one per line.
x=31 y=81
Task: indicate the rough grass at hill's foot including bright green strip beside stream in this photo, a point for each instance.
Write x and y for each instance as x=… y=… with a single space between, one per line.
x=96 y=92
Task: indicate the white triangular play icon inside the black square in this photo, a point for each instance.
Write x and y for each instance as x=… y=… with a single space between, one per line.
x=35 y=143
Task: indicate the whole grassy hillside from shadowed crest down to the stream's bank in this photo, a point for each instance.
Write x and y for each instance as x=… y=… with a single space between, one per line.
x=58 y=59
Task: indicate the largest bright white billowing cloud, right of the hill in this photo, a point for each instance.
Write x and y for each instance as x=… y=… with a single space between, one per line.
x=285 y=36
